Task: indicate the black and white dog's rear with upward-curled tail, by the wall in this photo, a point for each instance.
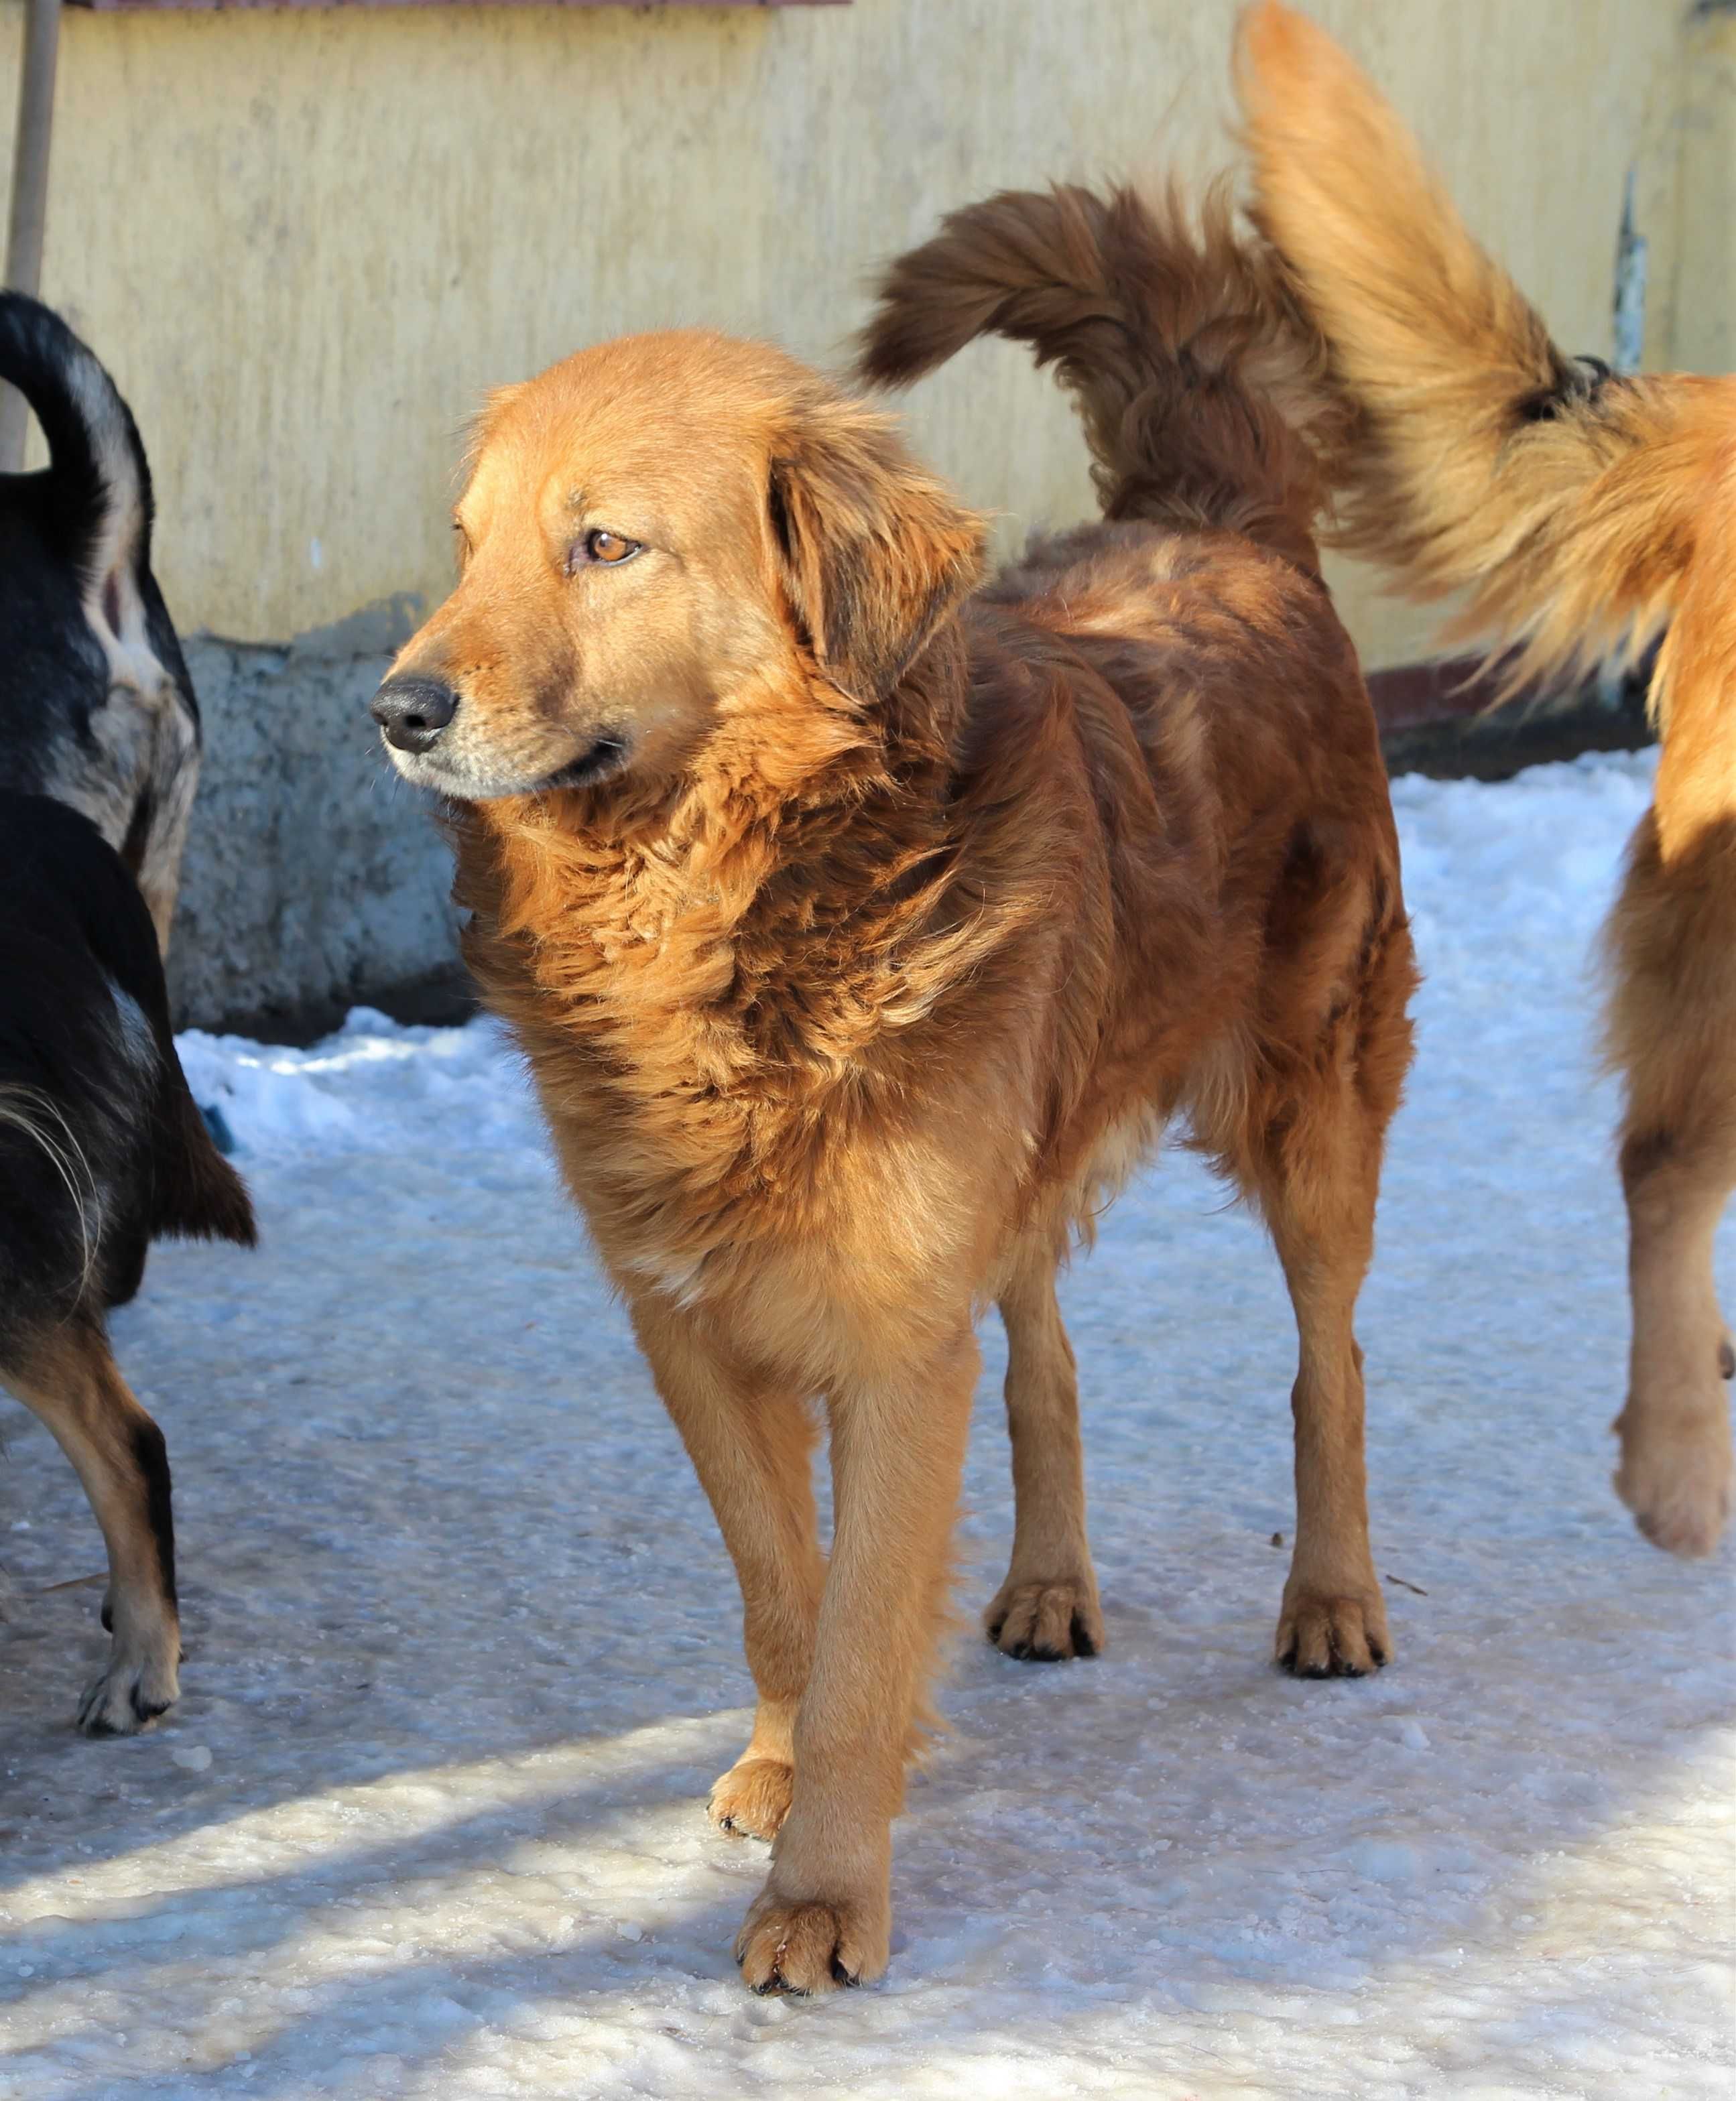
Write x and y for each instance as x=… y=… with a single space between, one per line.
x=96 y=701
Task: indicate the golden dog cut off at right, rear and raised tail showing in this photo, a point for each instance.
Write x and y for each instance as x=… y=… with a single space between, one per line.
x=1582 y=512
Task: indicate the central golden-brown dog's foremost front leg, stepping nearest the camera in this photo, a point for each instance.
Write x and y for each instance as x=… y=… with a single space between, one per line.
x=898 y=1451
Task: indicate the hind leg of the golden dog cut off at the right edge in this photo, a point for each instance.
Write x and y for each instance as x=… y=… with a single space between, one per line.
x=1674 y=1037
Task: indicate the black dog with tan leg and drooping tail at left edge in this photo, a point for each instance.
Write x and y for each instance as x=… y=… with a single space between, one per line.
x=102 y=1150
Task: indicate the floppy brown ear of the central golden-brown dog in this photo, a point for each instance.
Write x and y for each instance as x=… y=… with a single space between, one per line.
x=873 y=552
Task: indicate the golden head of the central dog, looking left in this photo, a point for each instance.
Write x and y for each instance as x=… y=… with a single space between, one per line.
x=655 y=531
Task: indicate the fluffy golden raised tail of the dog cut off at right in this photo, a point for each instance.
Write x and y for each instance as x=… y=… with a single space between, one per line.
x=1561 y=497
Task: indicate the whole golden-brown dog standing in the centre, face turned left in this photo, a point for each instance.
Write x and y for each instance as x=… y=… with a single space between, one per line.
x=863 y=932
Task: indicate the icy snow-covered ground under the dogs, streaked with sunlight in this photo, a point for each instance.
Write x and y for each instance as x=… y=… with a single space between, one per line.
x=463 y=1655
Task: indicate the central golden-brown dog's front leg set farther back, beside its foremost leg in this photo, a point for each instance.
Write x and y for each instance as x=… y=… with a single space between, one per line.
x=753 y=1453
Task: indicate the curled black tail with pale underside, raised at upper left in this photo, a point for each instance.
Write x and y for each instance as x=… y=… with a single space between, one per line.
x=98 y=484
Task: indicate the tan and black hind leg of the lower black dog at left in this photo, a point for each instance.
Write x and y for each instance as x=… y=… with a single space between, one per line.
x=75 y=1386
